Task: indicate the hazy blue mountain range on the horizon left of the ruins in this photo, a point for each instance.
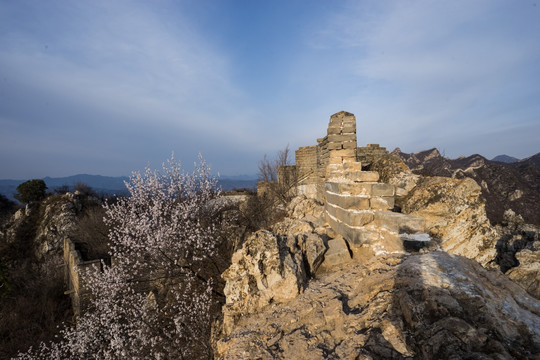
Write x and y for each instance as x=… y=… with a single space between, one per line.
x=115 y=185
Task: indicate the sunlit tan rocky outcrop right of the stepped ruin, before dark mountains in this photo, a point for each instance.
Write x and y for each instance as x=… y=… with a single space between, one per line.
x=455 y=213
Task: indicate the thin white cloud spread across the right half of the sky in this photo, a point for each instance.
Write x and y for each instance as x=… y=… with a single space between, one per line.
x=442 y=69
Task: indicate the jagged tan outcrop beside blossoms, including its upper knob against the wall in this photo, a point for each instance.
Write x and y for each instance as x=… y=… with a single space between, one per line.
x=273 y=267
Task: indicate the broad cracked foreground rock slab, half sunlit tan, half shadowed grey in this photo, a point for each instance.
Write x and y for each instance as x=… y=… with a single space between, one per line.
x=426 y=306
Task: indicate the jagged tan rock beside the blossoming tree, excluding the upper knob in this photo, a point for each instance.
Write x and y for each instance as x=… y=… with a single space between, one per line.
x=267 y=269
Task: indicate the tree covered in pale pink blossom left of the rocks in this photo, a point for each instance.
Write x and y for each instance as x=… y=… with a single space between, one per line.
x=154 y=301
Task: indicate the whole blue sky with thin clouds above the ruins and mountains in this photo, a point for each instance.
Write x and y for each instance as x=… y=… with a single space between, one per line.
x=109 y=87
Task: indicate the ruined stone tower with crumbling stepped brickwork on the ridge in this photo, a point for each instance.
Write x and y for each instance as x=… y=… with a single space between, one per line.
x=357 y=205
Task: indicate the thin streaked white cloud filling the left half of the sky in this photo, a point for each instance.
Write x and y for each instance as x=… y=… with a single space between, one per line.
x=120 y=65
